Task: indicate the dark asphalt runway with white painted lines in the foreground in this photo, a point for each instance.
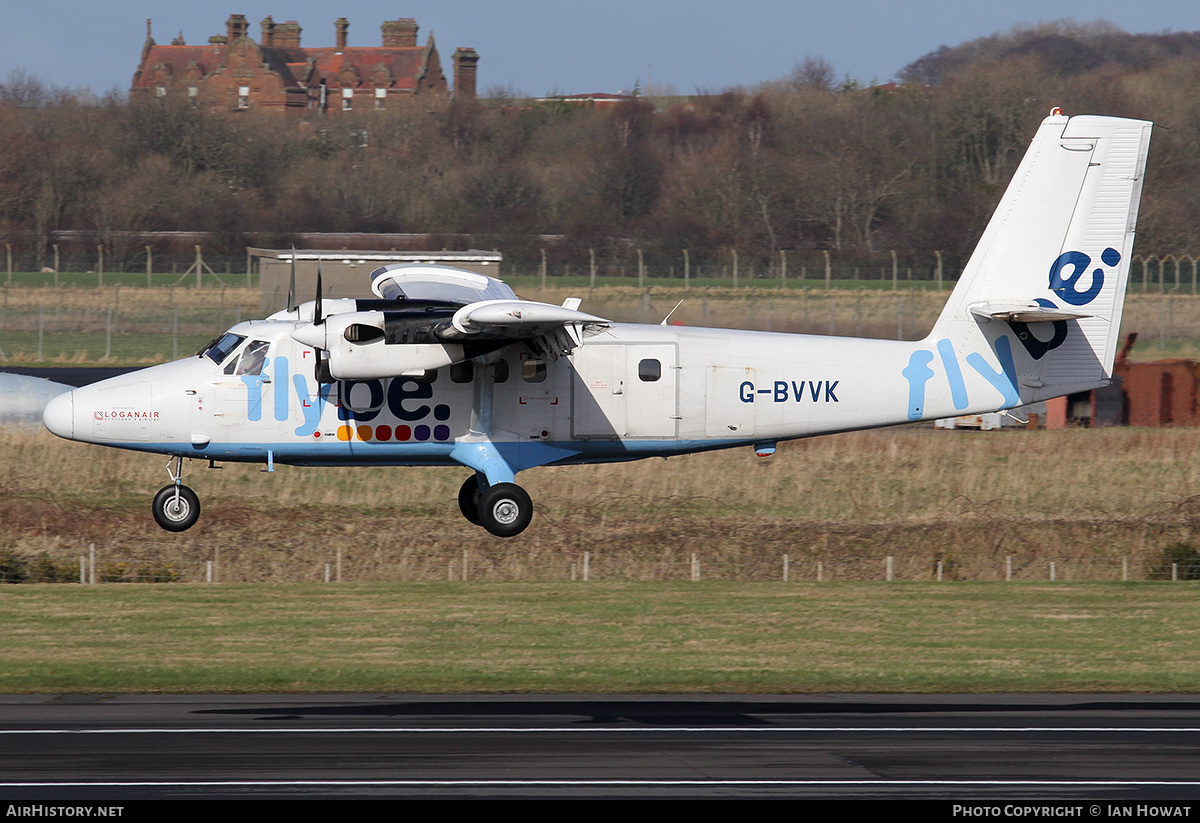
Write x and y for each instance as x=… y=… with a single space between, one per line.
x=1077 y=750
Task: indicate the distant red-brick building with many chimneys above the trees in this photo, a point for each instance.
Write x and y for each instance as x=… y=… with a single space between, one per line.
x=233 y=73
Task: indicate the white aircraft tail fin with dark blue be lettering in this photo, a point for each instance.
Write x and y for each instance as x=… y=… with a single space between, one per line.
x=1045 y=290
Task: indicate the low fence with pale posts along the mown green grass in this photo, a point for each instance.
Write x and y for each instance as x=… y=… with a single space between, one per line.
x=155 y=563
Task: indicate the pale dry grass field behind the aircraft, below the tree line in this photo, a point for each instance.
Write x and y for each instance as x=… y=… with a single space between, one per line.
x=140 y=326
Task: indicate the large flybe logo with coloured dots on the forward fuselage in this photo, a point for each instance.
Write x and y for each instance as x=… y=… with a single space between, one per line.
x=357 y=403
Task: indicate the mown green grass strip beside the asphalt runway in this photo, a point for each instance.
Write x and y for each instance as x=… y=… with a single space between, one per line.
x=602 y=638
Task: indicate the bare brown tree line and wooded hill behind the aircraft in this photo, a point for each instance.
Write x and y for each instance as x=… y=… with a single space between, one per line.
x=802 y=165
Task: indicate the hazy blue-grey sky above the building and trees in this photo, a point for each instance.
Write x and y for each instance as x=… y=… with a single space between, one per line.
x=542 y=46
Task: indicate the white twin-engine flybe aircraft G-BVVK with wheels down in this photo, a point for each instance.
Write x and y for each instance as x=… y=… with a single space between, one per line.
x=452 y=369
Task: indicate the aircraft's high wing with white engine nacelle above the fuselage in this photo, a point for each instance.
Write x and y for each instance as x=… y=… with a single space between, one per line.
x=430 y=317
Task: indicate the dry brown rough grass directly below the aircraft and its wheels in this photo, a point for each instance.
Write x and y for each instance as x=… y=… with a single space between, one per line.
x=1084 y=500
